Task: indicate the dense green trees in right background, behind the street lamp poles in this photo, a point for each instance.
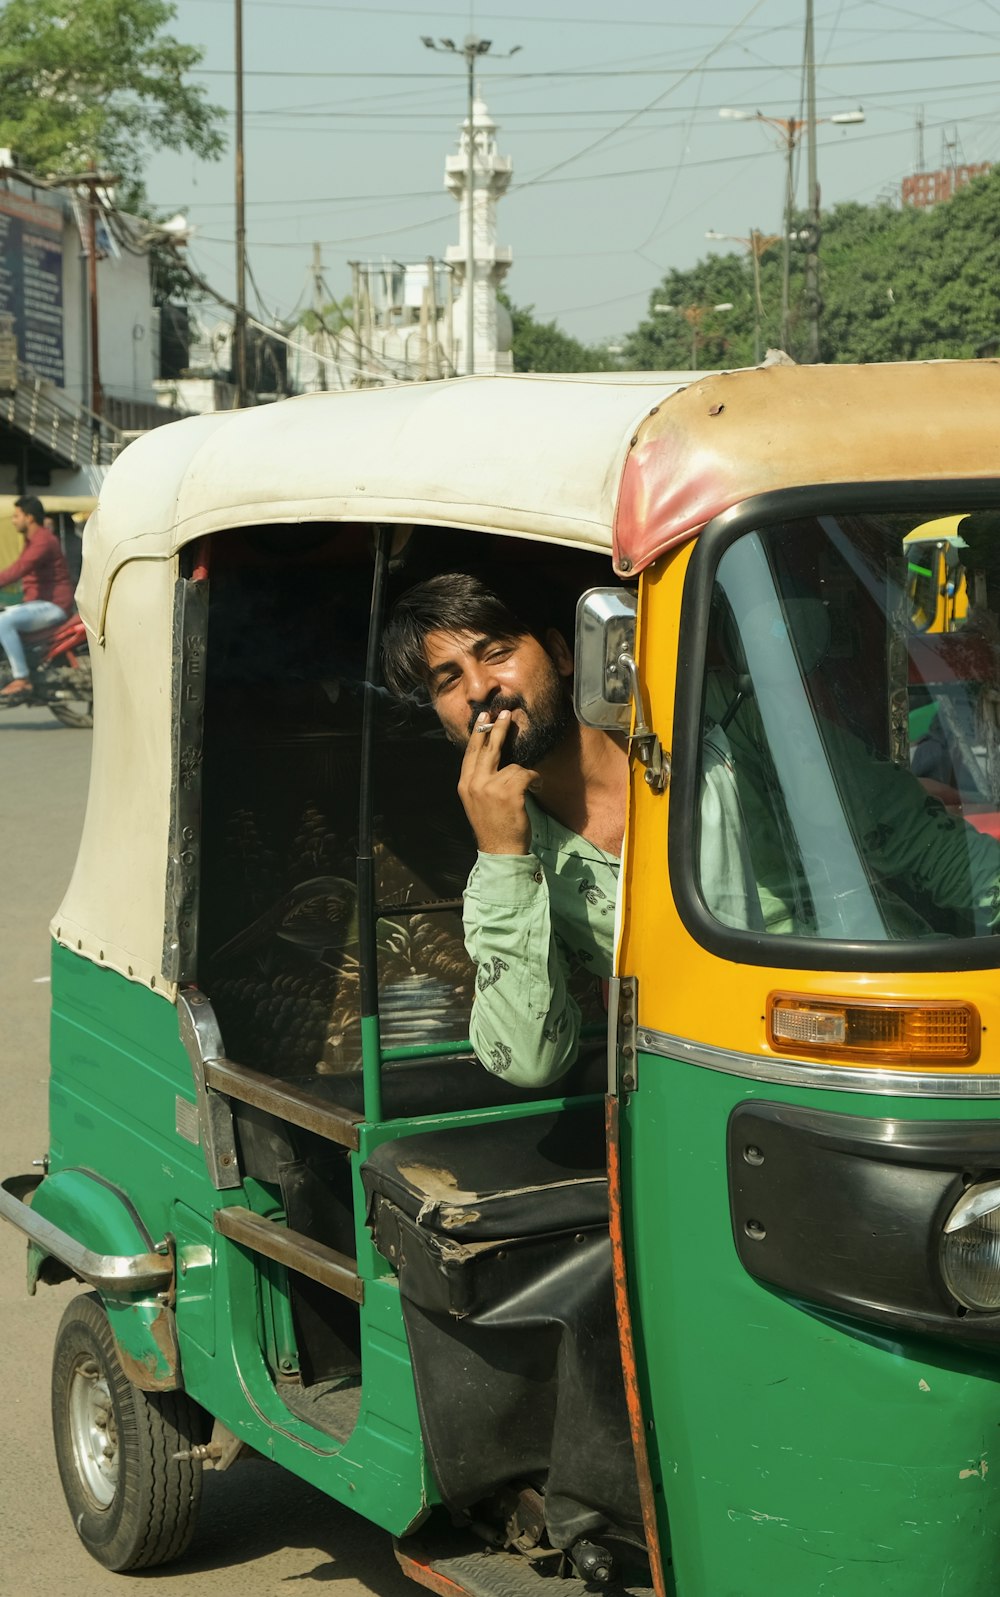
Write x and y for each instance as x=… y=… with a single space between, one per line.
x=897 y=285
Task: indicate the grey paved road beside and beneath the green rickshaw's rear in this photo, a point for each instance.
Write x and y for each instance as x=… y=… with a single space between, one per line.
x=261 y=1531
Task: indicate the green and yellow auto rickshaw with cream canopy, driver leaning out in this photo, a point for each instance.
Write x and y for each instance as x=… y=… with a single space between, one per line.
x=718 y=1314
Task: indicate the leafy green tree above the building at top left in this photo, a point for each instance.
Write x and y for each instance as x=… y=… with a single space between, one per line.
x=98 y=85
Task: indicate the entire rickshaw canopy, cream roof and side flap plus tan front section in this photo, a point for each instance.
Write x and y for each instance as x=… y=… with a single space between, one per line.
x=574 y=459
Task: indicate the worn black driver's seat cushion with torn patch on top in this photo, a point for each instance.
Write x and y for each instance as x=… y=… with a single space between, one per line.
x=515 y=1178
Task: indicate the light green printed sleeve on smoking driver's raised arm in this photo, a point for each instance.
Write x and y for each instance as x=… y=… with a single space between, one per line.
x=525 y=1023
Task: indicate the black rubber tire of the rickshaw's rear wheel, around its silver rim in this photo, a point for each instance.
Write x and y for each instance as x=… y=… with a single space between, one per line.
x=153 y=1515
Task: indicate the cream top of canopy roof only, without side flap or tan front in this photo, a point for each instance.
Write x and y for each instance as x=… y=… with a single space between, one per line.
x=533 y=456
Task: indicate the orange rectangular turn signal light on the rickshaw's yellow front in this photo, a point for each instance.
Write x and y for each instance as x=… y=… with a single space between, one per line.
x=873 y=1031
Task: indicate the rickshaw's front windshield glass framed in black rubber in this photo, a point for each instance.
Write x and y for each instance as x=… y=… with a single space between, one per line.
x=851 y=763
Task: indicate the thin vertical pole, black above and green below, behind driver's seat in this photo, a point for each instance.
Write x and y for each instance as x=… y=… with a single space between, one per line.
x=368 y=919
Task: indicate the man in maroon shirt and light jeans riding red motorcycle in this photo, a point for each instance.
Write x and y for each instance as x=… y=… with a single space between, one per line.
x=47 y=588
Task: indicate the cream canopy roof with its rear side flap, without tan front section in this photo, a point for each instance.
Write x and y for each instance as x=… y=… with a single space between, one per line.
x=531 y=456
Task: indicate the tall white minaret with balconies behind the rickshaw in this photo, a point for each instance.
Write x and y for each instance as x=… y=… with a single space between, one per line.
x=491 y=180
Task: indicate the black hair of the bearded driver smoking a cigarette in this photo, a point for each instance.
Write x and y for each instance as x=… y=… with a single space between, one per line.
x=454 y=603
